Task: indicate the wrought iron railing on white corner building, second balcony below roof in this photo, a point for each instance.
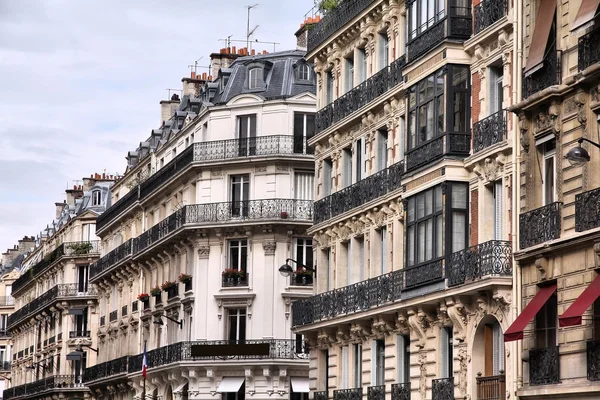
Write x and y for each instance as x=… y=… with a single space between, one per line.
x=266 y=209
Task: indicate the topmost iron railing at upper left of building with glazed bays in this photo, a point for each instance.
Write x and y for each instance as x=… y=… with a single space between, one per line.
x=334 y=20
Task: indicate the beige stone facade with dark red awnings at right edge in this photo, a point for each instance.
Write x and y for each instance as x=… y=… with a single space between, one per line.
x=556 y=195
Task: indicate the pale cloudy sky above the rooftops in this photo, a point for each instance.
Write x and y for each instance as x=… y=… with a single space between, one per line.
x=81 y=82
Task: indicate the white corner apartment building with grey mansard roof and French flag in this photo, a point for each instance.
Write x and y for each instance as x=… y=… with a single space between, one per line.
x=210 y=206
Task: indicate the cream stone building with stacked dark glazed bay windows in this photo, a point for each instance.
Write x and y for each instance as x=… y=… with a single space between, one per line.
x=413 y=223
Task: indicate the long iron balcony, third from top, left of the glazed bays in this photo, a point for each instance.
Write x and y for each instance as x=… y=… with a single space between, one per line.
x=360 y=193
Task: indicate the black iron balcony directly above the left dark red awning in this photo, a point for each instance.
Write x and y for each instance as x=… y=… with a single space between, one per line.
x=539 y=225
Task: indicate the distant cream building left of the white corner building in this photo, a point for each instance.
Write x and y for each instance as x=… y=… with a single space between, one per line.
x=55 y=307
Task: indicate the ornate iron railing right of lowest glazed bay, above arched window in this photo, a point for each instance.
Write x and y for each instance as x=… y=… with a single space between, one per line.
x=490 y=258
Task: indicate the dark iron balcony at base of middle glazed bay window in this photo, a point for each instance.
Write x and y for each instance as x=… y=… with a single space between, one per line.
x=458 y=144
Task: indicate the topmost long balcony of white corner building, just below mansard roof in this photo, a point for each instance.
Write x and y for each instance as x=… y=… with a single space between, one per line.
x=220 y=150
